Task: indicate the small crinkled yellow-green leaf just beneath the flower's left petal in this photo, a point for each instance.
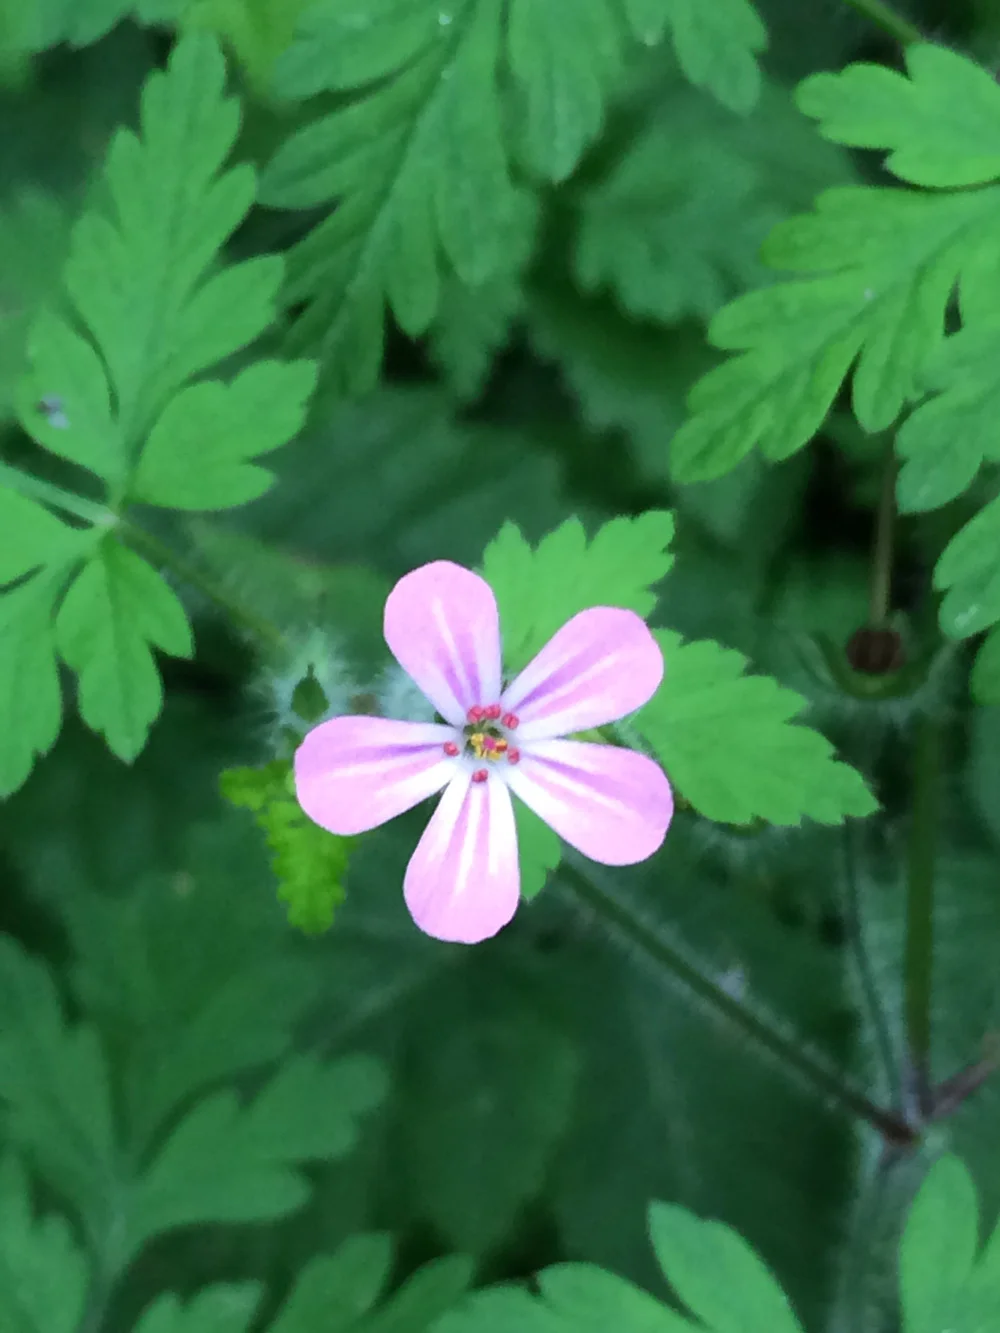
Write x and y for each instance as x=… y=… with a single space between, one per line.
x=310 y=863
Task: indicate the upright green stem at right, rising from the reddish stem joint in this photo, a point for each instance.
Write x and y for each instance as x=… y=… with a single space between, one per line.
x=918 y=962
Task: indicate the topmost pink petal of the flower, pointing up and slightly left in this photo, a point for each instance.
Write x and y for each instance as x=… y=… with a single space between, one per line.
x=443 y=629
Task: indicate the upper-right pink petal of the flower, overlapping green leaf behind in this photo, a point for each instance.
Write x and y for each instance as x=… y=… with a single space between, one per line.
x=599 y=667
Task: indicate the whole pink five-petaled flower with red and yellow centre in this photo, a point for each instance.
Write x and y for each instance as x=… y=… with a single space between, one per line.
x=463 y=882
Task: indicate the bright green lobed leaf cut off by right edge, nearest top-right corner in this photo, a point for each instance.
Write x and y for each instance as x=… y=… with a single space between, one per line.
x=941 y=121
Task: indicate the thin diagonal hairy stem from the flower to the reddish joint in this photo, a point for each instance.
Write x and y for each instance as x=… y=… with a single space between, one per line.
x=794 y=1058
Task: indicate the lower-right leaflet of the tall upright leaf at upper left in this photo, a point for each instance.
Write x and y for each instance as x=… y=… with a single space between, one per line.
x=199 y=453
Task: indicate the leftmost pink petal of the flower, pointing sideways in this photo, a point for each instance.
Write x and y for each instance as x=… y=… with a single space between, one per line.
x=354 y=774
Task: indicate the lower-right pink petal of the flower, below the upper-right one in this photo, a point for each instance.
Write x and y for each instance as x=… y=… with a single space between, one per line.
x=611 y=804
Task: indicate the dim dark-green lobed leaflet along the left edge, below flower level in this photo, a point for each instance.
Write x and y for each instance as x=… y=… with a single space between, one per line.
x=54 y=1083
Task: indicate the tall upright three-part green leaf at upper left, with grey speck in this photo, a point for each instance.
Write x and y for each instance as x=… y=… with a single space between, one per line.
x=145 y=285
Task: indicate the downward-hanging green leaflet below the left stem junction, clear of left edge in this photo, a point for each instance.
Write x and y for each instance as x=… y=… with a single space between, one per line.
x=117 y=611
